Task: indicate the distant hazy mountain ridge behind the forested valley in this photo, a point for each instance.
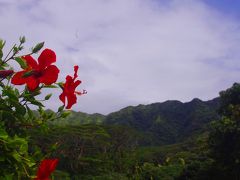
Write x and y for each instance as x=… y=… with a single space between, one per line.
x=158 y=123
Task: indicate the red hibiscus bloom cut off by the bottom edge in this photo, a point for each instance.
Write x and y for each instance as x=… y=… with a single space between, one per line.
x=45 y=169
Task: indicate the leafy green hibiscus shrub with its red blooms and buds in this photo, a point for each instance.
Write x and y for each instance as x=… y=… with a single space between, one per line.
x=17 y=159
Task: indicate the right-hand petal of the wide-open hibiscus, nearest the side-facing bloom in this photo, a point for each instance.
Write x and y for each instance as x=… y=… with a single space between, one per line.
x=49 y=75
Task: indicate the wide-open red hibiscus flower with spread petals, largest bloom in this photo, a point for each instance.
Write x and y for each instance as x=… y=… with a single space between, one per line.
x=41 y=72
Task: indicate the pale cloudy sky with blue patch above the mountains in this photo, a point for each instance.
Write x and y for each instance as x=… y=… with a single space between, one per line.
x=132 y=52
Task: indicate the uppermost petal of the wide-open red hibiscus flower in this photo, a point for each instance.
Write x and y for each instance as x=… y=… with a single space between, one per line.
x=46 y=58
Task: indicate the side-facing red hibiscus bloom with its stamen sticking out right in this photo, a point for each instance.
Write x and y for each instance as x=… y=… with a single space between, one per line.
x=69 y=92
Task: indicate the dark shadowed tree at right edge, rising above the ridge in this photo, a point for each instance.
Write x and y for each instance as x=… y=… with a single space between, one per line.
x=224 y=138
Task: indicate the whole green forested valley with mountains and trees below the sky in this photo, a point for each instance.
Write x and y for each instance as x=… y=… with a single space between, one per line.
x=170 y=140
